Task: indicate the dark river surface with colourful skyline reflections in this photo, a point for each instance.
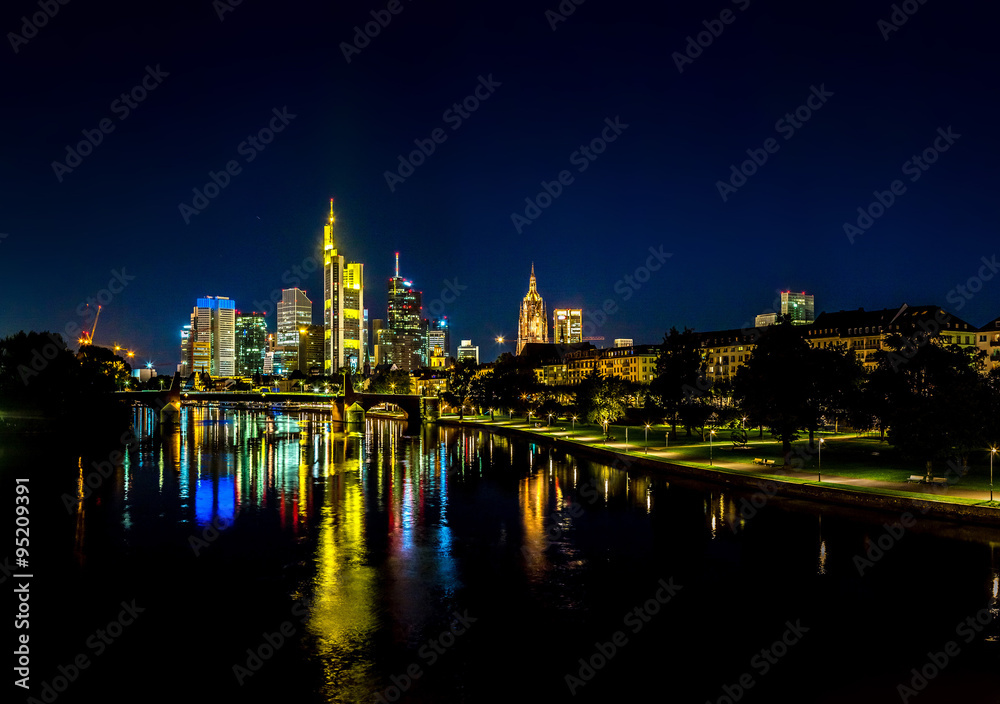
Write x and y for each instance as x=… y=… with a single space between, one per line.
x=455 y=566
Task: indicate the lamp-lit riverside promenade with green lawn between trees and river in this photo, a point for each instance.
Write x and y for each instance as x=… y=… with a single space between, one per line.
x=849 y=470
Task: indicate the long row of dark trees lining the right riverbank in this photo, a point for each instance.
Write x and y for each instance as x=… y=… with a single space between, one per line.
x=934 y=403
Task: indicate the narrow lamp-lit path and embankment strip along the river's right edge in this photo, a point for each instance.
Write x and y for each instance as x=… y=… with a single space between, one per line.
x=947 y=502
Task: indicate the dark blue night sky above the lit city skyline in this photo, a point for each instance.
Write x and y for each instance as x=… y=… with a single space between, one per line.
x=218 y=82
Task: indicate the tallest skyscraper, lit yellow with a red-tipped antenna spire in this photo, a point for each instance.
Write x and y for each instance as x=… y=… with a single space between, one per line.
x=343 y=306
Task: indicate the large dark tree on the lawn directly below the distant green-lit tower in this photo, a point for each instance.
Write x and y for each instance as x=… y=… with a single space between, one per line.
x=775 y=387
